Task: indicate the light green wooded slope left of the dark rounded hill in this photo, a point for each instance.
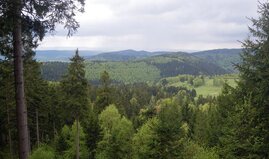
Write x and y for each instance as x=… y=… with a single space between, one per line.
x=127 y=72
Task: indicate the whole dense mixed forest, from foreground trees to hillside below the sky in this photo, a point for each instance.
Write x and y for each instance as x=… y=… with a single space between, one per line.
x=71 y=117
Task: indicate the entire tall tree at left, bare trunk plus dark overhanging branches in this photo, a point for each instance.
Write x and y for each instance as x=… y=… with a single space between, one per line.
x=22 y=25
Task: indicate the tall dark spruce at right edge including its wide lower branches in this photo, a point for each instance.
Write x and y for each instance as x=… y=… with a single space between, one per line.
x=245 y=130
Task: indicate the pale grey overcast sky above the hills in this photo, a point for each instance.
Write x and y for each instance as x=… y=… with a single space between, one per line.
x=152 y=25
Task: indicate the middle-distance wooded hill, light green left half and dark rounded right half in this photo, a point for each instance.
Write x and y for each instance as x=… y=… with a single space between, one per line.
x=145 y=70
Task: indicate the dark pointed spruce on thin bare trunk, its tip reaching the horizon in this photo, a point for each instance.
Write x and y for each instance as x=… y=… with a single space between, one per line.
x=75 y=92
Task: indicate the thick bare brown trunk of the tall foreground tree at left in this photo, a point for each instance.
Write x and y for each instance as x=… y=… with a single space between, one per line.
x=19 y=83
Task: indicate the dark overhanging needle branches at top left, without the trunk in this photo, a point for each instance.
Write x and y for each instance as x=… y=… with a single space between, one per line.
x=38 y=18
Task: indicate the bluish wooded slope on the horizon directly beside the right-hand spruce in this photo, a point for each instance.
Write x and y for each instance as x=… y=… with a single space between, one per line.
x=225 y=58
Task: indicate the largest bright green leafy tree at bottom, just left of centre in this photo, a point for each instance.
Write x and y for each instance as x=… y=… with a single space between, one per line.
x=117 y=132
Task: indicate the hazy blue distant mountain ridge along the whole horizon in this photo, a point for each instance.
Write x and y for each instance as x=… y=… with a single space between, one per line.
x=225 y=58
